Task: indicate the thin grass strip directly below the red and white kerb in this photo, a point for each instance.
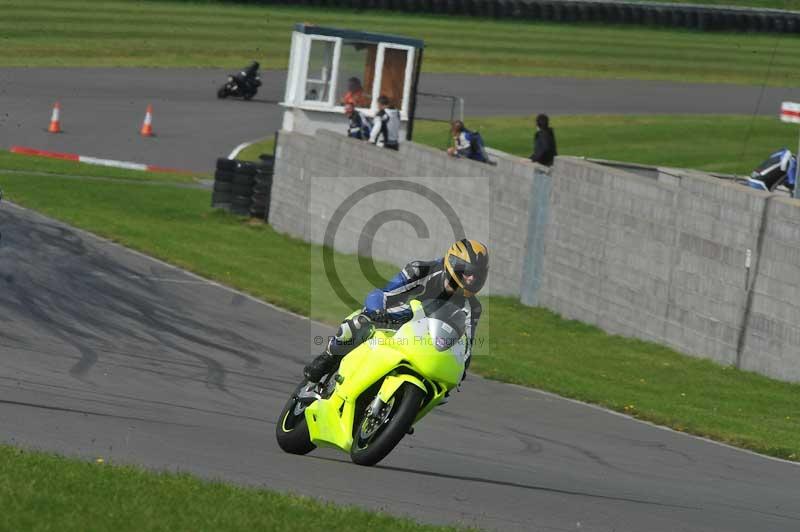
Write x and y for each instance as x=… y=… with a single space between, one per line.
x=18 y=162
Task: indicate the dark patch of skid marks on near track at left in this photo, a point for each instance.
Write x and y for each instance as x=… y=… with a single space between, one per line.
x=120 y=304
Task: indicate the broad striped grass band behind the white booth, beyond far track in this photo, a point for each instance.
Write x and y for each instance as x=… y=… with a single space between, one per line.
x=163 y=34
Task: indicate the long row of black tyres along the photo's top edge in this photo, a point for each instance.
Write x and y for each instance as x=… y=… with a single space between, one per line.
x=702 y=18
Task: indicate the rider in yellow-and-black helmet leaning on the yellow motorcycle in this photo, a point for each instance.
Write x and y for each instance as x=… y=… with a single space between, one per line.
x=457 y=278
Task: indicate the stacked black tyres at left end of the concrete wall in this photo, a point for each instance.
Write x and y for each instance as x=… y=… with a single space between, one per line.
x=243 y=187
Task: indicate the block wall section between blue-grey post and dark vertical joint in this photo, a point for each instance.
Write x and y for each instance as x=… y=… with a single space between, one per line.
x=651 y=260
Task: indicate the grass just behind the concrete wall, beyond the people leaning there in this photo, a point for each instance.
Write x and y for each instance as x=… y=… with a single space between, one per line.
x=724 y=144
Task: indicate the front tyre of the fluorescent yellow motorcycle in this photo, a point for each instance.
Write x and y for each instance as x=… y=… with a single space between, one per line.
x=371 y=444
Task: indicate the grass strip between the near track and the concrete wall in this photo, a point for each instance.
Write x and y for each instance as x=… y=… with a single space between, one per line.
x=529 y=346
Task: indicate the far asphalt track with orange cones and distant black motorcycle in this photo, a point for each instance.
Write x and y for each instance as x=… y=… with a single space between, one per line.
x=102 y=109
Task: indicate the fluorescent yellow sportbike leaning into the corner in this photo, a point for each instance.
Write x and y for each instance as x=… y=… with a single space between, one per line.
x=381 y=388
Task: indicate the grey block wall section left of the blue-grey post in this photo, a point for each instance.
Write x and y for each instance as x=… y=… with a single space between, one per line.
x=492 y=202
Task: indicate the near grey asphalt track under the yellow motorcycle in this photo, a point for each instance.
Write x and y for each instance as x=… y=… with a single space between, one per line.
x=106 y=353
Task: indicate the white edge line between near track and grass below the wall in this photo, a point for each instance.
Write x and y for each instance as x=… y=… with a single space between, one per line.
x=305 y=318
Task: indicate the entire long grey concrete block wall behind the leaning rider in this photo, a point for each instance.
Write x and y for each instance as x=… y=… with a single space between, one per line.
x=706 y=266
